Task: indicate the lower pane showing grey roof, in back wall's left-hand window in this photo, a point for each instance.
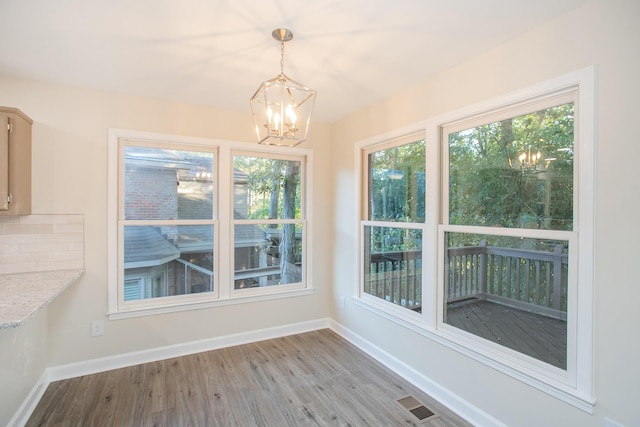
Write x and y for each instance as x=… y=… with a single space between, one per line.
x=167 y=260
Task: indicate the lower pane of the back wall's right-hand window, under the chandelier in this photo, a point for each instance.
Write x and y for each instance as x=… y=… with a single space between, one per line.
x=267 y=254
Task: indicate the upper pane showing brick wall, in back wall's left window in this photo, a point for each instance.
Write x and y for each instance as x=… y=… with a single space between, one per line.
x=167 y=184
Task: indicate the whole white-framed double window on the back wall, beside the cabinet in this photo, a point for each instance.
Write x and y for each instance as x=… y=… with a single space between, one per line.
x=171 y=208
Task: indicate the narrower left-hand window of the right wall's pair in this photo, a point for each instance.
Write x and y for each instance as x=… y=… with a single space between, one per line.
x=393 y=221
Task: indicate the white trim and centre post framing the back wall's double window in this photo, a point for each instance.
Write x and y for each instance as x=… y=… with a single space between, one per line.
x=224 y=293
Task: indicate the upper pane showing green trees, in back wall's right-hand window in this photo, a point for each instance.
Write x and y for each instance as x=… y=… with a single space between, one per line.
x=266 y=188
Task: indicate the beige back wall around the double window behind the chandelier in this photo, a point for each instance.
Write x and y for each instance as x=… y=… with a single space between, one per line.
x=70 y=176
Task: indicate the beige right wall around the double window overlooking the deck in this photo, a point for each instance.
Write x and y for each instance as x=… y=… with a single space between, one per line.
x=602 y=33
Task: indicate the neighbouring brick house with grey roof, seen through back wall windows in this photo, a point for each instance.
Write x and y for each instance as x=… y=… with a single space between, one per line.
x=177 y=260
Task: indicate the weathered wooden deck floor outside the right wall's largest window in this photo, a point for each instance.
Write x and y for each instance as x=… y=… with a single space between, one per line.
x=538 y=336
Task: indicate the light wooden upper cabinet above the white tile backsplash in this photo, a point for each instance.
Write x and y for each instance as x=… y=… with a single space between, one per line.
x=15 y=162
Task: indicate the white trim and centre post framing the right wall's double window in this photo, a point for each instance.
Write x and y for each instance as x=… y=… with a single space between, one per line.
x=574 y=386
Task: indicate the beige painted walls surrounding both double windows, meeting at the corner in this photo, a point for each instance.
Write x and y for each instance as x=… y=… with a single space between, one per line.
x=70 y=177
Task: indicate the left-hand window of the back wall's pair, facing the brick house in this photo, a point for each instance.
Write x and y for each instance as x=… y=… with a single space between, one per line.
x=166 y=220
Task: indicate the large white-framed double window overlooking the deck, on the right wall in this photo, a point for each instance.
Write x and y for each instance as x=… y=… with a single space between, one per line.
x=504 y=224
